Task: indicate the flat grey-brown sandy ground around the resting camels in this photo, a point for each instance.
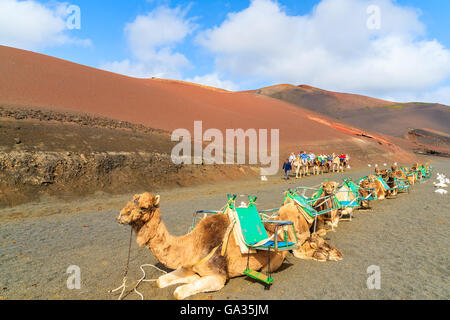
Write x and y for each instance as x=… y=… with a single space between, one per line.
x=407 y=237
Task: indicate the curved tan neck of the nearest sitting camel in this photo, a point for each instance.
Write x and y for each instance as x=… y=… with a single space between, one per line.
x=169 y=250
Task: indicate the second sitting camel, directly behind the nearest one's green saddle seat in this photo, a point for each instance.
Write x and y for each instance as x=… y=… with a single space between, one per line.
x=310 y=245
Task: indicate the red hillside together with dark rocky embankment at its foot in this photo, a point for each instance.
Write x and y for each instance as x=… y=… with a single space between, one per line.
x=107 y=133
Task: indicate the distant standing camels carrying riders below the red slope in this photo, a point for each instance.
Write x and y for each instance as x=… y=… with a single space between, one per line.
x=303 y=167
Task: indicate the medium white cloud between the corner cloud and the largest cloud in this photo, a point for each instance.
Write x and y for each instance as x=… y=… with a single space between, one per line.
x=151 y=39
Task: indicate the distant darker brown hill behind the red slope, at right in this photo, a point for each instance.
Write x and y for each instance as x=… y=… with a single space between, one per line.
x=395 y=119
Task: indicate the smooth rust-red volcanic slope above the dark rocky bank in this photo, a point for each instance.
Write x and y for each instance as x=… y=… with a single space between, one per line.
x=39 y=81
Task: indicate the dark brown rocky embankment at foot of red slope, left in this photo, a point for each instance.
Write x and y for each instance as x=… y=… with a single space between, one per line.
x=26 y=176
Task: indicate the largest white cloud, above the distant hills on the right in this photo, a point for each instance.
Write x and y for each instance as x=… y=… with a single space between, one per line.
x=330 y=48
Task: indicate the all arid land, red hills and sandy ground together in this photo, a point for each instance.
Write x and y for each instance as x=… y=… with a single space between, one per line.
x=76 y=143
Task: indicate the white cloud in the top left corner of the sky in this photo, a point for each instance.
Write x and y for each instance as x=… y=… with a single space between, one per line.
x=31 y=25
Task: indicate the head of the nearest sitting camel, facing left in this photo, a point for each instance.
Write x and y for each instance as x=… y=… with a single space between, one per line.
x=140 y=209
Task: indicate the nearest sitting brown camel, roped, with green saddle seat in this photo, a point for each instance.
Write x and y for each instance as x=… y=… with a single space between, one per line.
x=196 y=257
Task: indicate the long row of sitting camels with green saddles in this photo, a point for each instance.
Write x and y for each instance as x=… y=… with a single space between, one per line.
x=207 y=257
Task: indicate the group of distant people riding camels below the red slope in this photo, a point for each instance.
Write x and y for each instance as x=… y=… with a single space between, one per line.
x=309 y=159
